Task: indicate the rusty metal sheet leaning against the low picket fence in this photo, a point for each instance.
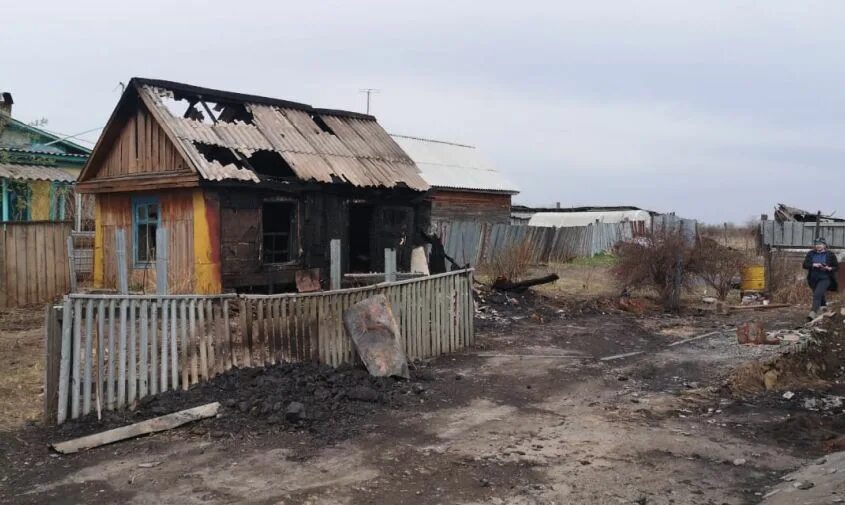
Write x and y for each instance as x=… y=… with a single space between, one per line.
x=373 y=329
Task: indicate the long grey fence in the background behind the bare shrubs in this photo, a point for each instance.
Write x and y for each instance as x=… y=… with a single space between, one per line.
x=474 y=243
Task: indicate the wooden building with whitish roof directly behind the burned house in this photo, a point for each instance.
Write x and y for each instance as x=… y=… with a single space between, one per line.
x=465 y=186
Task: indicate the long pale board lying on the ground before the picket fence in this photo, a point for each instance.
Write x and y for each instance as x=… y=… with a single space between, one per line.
x=162 y=423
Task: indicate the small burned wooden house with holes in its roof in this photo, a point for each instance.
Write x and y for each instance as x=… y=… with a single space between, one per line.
x=251 y=189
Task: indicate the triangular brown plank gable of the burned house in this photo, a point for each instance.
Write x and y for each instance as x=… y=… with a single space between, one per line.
x=141 y=147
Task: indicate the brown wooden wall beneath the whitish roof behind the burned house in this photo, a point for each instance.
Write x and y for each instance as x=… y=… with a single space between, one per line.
x=493 y=208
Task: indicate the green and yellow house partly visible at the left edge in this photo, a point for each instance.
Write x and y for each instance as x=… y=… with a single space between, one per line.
x=37 y=170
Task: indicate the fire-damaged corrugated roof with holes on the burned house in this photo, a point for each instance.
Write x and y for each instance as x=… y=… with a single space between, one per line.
x=314 y=144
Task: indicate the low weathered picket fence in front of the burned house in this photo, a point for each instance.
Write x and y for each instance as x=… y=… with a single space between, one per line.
x=109 y=351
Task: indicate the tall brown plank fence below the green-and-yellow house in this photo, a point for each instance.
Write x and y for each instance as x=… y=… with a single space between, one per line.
x=33 y=262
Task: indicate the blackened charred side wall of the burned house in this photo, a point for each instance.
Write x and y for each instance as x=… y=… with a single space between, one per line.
x=321 y=215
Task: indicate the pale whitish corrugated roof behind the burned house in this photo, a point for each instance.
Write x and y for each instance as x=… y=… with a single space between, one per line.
x=454 y=166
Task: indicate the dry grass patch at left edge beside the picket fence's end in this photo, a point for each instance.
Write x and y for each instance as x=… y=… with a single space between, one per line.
x=22 y=359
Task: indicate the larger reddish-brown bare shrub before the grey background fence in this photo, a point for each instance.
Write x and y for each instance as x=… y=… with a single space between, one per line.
x=652 y=261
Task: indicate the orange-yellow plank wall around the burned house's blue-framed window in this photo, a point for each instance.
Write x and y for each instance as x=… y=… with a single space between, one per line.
x=177 y=216
